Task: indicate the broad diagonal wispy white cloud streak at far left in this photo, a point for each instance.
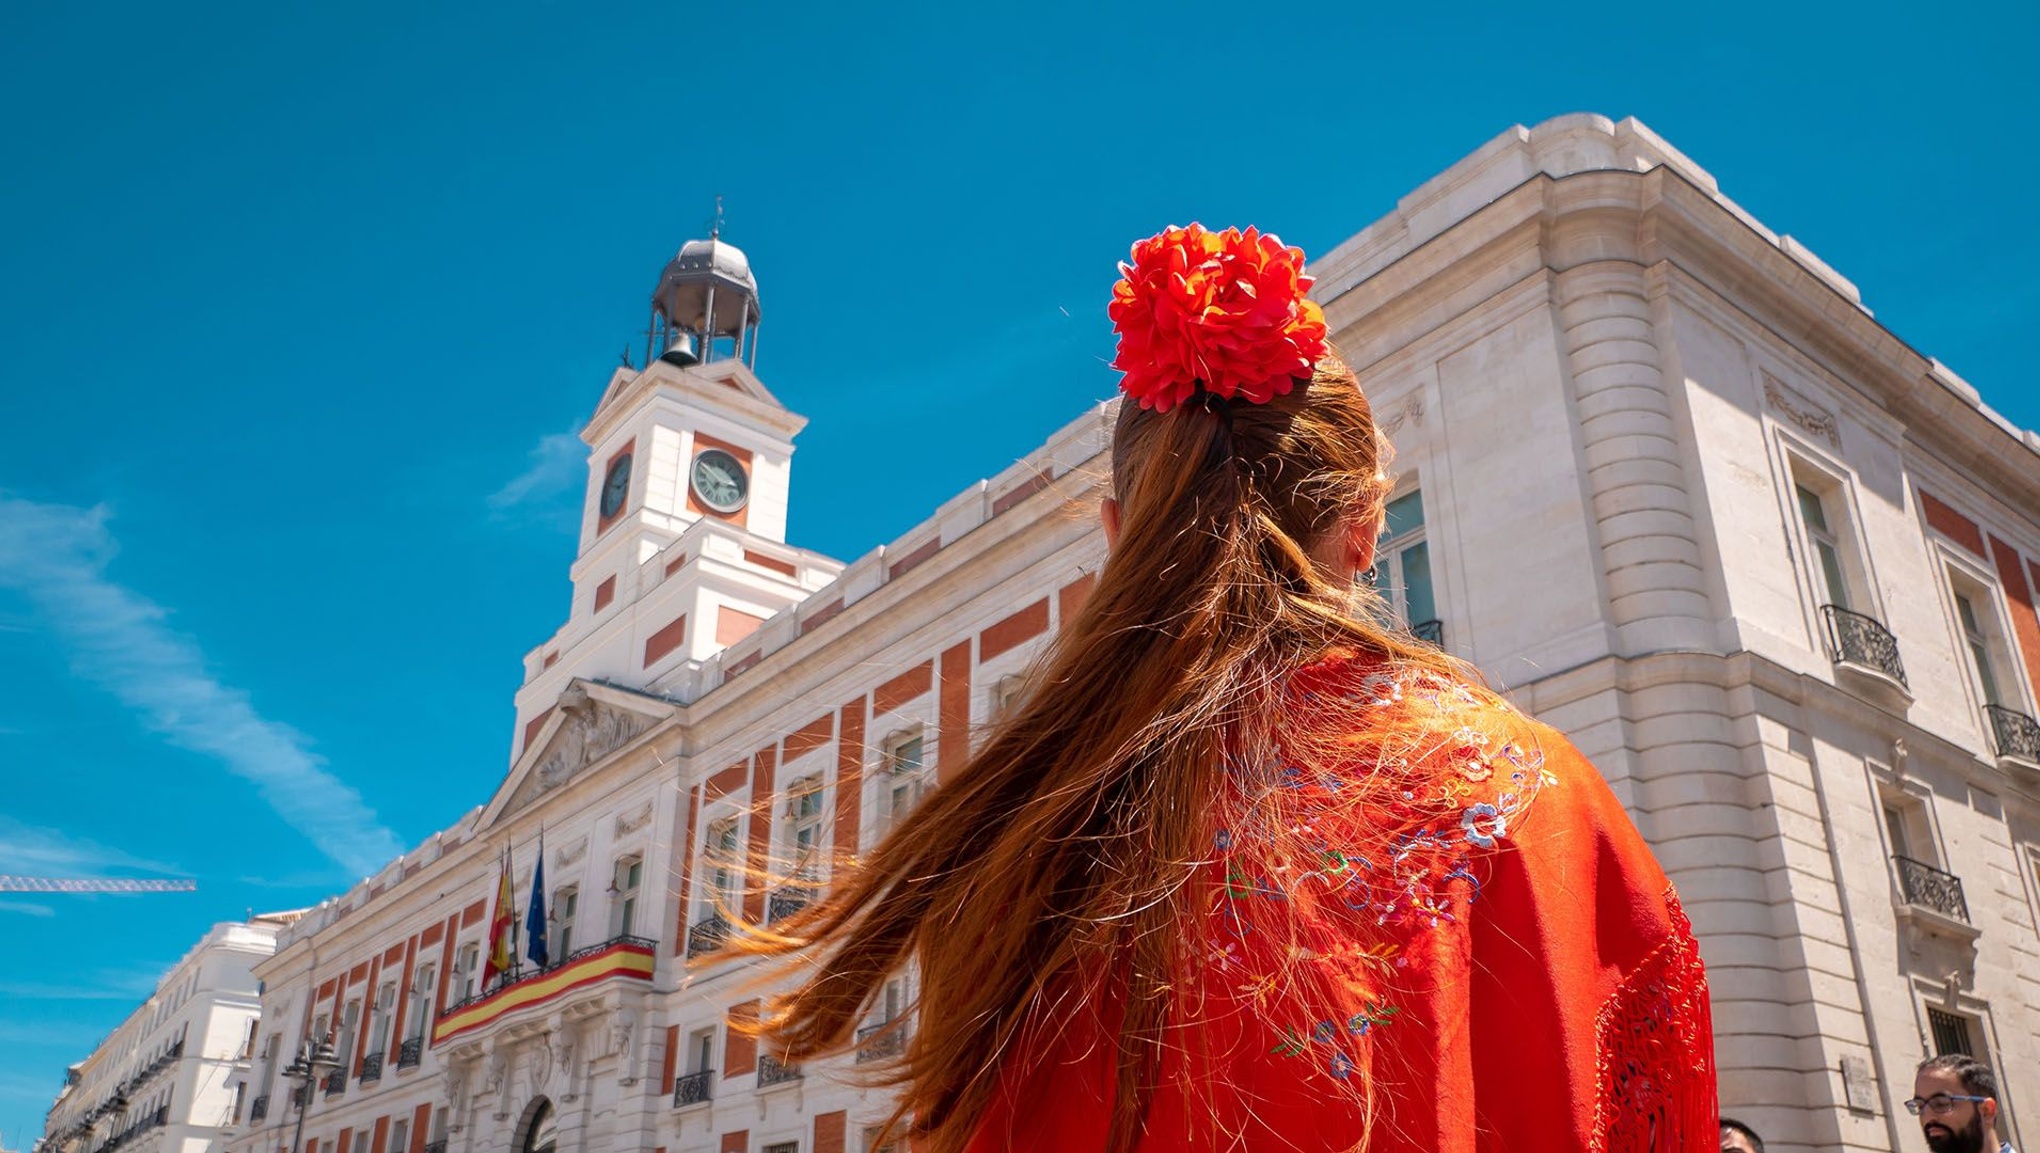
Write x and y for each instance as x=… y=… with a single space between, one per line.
x=123 y=644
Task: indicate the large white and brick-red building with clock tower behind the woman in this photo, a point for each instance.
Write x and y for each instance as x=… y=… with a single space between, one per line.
x=1662 y=477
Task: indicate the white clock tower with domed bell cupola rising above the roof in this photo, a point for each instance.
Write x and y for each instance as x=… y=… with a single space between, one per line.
x=684 y=525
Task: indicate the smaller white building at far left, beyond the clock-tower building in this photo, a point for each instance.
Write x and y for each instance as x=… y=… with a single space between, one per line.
x=168 y=1081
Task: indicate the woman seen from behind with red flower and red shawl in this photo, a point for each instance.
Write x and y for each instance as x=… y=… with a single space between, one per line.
x=1252 y=868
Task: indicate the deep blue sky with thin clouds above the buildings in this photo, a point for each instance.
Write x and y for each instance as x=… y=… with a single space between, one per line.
x=301 y=309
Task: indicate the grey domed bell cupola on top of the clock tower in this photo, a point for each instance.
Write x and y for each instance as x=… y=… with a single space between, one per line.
x=707 y=305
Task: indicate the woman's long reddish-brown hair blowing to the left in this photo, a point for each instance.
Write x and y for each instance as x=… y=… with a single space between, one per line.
x=1064 y=846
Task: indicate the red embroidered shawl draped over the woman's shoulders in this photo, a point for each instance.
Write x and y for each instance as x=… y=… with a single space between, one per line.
x=1482 y=938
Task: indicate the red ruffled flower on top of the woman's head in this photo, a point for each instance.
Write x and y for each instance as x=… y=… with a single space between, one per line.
x=1215 y=311
